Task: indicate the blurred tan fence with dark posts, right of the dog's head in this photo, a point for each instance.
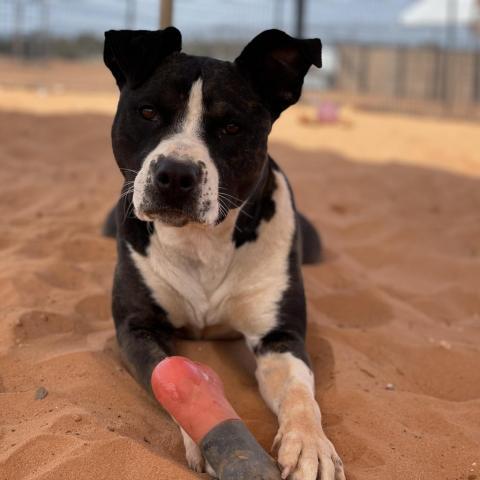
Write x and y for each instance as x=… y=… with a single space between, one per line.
x=404 y=75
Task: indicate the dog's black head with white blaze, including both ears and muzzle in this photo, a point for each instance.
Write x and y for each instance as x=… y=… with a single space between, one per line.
x=190 y=133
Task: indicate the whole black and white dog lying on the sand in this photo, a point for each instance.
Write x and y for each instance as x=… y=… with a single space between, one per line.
x=215 y=243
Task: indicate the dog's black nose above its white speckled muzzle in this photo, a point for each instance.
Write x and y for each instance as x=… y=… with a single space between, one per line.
x=176 y=176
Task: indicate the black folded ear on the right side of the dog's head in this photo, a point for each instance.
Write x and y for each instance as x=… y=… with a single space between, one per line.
x=276 y=63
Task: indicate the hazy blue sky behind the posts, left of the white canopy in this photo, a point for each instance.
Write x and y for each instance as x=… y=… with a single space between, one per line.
x=72 y=16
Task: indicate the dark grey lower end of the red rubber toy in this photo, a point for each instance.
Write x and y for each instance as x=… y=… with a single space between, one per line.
x=234 y=454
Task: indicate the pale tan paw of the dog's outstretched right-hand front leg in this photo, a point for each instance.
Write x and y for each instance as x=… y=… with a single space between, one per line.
x=307 y=454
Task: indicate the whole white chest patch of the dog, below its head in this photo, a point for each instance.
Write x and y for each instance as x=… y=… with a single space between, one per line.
x=200 y=279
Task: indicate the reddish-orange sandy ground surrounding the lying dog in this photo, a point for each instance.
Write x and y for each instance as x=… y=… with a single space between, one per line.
x=396 y=301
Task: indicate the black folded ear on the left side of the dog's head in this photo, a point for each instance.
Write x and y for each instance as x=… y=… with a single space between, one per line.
x=133 y=55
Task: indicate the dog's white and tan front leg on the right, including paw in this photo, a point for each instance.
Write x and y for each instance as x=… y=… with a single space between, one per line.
x=287 y=385
